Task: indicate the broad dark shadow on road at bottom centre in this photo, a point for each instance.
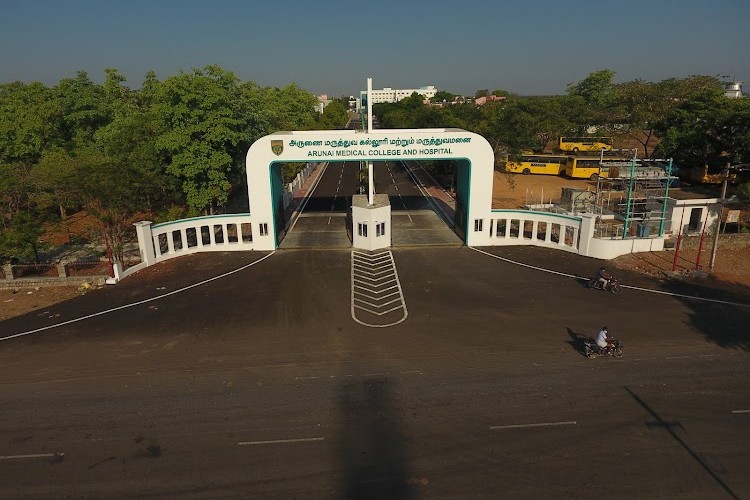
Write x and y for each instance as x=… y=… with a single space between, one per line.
x=371 y=445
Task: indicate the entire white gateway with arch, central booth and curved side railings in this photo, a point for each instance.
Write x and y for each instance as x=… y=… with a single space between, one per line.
x=475 y=219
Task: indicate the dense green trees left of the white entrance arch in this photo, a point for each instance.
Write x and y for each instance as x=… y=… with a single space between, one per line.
x=117 y=152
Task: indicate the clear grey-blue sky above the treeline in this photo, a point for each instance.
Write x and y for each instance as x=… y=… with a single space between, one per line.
x=524 y=46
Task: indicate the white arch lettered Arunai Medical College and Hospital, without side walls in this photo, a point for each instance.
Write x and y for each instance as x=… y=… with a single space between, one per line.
x=474 y=187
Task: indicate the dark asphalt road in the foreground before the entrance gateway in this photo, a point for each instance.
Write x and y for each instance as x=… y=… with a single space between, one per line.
x=260 y=385
